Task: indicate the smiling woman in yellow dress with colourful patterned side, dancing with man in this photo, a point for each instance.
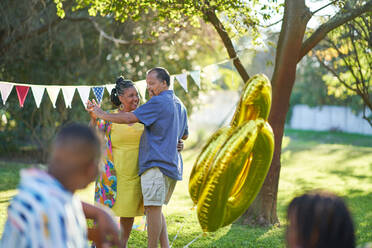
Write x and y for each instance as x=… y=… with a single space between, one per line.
x=119 y=186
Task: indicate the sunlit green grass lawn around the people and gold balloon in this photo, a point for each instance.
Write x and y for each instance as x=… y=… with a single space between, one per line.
x=338 y=162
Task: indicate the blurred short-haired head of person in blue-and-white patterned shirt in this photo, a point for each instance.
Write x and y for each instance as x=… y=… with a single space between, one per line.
x=75 y=156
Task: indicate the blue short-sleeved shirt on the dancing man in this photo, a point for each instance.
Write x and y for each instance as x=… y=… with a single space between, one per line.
x=165 y=120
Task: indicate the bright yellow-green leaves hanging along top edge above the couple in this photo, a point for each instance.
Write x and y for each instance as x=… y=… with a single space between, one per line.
x=238 y=15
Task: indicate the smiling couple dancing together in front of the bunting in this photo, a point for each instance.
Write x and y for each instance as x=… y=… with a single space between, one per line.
x=142 y=162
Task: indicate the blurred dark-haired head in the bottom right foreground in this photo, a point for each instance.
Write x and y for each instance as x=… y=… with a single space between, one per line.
x=322 y=220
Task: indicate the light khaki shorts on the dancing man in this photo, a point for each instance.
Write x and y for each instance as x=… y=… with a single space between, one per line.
x=157 y=188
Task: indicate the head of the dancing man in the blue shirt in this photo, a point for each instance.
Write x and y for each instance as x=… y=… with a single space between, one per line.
x=158 y=80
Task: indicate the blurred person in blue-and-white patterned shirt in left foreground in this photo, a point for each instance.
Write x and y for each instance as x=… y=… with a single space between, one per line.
x=45 y=212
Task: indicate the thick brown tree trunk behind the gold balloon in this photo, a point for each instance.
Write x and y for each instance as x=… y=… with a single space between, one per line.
x=296 y=15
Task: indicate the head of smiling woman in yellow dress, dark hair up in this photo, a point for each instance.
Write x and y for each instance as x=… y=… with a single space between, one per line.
x=125 y=94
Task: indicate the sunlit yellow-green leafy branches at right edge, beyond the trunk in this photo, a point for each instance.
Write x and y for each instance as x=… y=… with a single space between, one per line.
x=347 y=56
